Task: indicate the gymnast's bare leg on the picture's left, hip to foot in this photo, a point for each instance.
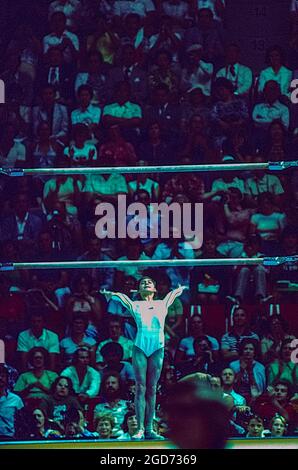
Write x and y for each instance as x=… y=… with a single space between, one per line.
x=139 y=362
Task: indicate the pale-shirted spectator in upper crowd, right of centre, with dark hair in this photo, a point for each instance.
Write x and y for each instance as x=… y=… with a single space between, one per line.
x=196 y=72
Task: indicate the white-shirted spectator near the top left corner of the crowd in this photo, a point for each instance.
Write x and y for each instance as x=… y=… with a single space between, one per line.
x=68 y=42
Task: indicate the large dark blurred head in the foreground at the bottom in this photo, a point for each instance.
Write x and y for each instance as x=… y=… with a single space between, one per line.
x=197 y=417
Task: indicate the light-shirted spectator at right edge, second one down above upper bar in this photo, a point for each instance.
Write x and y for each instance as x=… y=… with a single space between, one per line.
x=271 y=109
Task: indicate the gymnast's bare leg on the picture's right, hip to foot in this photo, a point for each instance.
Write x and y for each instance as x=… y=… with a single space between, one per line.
x=154 y=367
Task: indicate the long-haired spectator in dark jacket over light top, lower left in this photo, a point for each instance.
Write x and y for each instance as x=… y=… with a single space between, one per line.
x=60 y=401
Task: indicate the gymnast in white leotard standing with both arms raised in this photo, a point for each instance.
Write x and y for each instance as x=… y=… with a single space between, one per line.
x=148 y=350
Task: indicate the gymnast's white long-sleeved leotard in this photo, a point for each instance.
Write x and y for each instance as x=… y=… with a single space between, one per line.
x=150 y=319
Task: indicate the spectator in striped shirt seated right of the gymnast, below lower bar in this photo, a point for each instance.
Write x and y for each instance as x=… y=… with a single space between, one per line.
x=239 y=331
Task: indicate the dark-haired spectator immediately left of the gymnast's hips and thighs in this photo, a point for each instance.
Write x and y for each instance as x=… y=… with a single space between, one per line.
x=112 y=354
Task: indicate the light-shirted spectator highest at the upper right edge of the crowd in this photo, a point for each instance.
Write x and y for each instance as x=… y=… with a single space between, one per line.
x=276 y=71
